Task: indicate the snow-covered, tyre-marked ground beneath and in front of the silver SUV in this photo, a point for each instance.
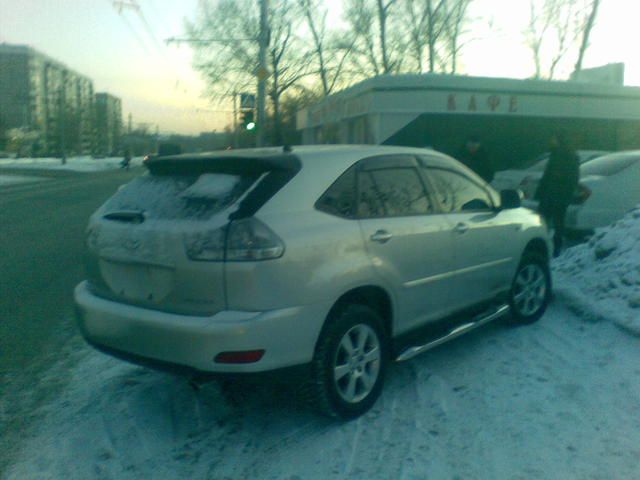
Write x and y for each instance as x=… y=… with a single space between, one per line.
x=558 y=399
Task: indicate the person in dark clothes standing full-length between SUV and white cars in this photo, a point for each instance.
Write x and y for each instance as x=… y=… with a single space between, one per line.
x=558 y=186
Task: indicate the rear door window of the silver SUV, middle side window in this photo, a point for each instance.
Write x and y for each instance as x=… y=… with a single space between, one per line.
x=392 y=192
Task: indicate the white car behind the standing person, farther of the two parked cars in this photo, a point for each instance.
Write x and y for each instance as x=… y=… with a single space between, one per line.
x=527 y=179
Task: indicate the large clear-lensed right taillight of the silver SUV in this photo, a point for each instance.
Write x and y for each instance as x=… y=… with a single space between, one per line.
x=246 y=240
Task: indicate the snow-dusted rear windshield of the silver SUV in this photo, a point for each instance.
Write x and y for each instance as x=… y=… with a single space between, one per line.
x=189 y=197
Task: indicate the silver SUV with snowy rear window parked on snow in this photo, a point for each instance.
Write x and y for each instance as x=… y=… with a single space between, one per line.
x=338 y=258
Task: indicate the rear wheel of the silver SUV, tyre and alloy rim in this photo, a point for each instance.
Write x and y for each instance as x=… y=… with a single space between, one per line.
x=349 y=363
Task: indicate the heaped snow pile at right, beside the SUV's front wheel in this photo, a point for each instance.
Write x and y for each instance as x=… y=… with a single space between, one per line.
x=602 y=277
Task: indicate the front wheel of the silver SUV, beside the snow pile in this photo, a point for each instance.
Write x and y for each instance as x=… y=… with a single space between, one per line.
x=531 y=289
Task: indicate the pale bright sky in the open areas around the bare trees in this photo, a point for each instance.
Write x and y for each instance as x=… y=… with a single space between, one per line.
x=126 y=56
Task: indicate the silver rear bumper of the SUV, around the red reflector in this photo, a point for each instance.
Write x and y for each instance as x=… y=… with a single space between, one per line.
x=153 y=338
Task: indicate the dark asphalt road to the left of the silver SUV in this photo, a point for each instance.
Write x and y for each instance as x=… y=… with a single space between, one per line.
x=41 y=250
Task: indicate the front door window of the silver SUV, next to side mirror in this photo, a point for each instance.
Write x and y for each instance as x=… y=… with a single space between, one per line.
x=456 y=193
